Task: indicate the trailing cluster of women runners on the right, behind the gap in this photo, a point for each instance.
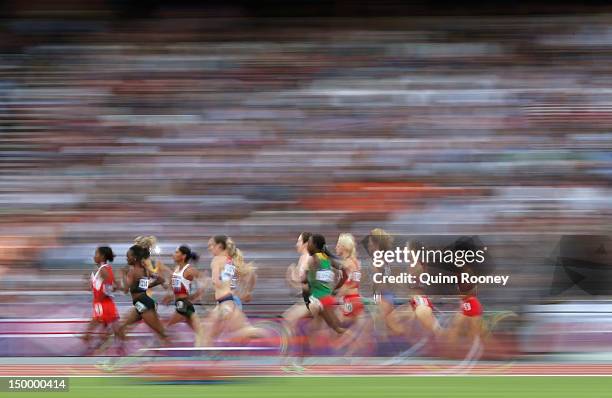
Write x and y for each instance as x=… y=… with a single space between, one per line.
x=331 y=290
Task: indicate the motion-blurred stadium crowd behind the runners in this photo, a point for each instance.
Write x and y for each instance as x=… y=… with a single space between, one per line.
x=260 y=120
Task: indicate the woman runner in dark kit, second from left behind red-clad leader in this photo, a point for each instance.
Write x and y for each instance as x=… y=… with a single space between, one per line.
x=137 y=279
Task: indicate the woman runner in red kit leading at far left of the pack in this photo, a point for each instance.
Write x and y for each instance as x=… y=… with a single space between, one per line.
x=102 y=283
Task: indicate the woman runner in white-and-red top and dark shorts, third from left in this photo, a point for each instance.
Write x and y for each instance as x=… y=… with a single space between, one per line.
x=183 y=279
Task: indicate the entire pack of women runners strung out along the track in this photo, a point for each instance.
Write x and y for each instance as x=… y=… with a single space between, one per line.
x=329 y=283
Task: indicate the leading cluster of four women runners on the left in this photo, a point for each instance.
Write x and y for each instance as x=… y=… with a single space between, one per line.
x=231 y=278
